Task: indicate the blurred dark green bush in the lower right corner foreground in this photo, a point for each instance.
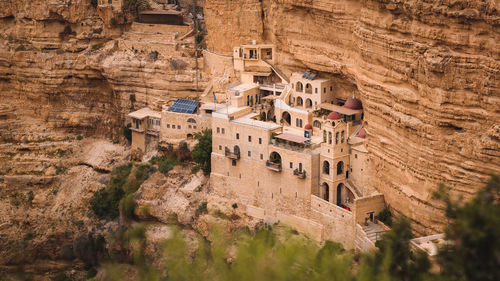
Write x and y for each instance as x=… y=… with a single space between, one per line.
x=474 y=253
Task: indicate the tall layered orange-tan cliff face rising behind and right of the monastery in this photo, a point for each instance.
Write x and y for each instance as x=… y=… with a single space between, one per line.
x=427 y=72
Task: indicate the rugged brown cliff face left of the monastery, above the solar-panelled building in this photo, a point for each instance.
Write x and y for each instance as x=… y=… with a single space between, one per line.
x=71 y=65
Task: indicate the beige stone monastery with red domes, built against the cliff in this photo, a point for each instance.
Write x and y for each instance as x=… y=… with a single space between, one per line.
x=287 y=149
